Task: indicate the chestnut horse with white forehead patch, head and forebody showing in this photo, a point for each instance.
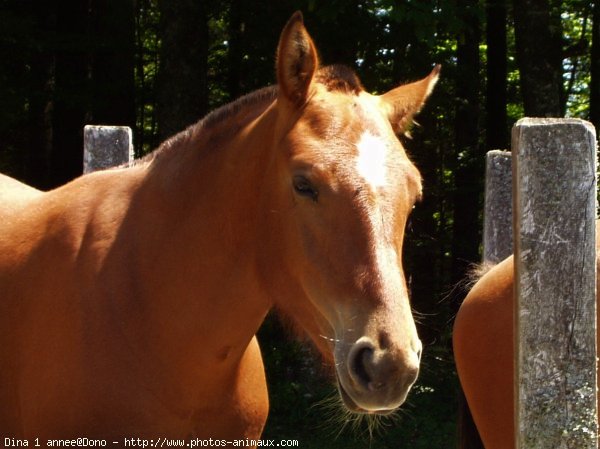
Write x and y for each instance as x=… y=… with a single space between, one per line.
x=130 y=297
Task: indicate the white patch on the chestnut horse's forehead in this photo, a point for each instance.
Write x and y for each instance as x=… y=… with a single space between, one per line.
x=371 y=161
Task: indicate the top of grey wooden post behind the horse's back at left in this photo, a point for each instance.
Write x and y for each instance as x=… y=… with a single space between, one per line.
x=106 y=146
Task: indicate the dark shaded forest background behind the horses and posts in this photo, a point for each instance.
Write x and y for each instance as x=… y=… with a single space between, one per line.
x=159 y=65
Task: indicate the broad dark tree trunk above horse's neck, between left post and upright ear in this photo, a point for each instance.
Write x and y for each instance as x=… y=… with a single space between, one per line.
x=182 y=79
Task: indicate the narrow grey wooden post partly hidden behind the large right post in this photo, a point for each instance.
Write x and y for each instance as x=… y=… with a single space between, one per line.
x=497 y=217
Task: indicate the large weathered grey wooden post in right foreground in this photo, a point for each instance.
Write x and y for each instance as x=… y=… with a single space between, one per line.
x=554 y=167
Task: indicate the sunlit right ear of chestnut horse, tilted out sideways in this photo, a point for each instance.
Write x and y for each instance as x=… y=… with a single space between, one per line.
x=405 y=101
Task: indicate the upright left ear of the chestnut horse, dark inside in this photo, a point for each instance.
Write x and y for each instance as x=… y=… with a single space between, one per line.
x=296 y=60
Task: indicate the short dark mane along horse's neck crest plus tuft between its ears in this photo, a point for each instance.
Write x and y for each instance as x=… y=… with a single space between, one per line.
x=335 y=78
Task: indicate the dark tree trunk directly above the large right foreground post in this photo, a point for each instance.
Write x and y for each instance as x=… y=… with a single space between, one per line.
x=539 y=57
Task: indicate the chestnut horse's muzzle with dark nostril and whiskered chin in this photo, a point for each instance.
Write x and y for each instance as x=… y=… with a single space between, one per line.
x=375 y=378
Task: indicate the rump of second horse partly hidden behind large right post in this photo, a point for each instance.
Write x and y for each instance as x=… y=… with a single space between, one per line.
x=483 y=339
